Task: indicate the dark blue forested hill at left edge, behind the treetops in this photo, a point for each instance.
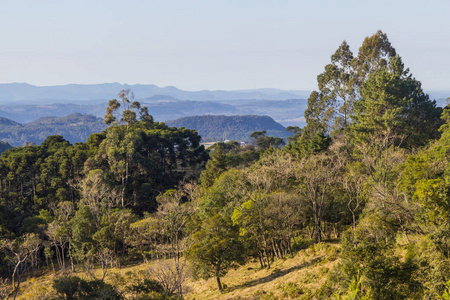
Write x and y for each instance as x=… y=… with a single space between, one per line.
x=75 y=128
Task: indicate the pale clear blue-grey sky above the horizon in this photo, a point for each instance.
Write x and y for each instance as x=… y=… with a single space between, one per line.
x=212 y=44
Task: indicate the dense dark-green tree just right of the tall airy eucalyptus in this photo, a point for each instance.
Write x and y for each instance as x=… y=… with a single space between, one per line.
x=393 y=103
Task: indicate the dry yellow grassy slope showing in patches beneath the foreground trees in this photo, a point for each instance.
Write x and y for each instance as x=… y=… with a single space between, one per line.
x=307 y=269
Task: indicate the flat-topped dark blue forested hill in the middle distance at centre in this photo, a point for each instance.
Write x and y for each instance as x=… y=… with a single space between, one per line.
x=217 y=128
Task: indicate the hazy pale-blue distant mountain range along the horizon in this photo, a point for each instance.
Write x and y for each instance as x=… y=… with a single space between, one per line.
x=23 y=103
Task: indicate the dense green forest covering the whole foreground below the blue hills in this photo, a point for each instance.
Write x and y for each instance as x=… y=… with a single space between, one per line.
x=370 y=171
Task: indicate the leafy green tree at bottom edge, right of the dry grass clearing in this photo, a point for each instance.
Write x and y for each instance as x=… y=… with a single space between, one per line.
x=368 y=253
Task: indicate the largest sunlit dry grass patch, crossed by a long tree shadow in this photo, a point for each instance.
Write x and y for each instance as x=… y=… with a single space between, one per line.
x=307 y=269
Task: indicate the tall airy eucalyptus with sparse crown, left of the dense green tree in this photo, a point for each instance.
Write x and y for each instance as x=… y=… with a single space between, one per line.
x=331 y=107
